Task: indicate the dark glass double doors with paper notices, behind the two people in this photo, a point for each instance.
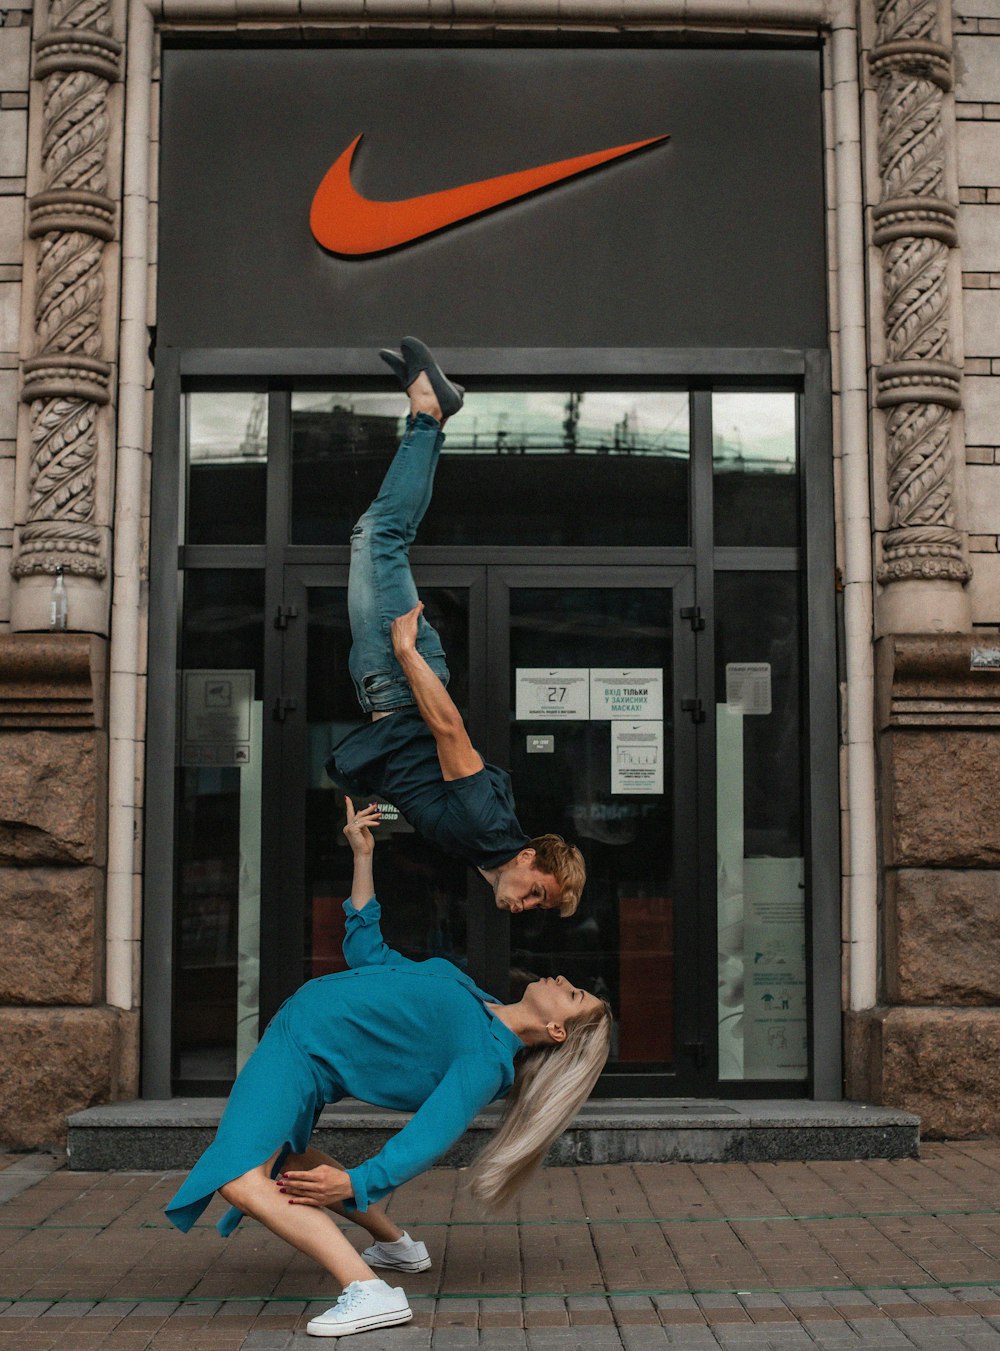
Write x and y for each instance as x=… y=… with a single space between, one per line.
x=575 y=680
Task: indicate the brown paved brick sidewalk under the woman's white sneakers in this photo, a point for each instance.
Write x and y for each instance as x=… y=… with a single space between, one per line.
x=782 y=1256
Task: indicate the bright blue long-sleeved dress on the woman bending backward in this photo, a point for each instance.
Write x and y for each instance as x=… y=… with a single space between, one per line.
x=416 y=1037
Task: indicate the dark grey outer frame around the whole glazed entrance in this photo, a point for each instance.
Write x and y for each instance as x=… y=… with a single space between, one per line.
x=697 y=369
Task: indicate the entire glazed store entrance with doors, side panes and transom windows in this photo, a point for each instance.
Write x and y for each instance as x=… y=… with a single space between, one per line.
x=617 y=498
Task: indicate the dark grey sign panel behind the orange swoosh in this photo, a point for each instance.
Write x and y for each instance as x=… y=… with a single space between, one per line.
x=714 y=238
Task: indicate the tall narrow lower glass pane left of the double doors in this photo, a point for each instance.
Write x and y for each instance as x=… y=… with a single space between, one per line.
x=218 y=826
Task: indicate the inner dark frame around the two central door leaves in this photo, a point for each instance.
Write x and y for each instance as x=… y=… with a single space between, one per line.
x=283 y=902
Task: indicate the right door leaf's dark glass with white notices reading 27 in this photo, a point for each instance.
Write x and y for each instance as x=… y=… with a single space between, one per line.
x=594 y=753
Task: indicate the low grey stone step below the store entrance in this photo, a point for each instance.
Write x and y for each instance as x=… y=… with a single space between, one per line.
x=172 y=1133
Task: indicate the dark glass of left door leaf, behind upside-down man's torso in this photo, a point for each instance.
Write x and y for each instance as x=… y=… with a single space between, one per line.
x=424 y=892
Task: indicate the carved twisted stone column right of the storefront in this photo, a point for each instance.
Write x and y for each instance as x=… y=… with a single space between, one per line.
x=924 y=564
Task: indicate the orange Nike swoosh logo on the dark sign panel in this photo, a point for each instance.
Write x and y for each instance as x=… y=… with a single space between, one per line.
x=347 y=224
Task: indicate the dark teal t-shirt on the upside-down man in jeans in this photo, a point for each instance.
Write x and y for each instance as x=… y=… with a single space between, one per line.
x=398 y=760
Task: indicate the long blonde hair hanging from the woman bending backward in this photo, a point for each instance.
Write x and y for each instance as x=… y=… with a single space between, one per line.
x=551 y=1086
